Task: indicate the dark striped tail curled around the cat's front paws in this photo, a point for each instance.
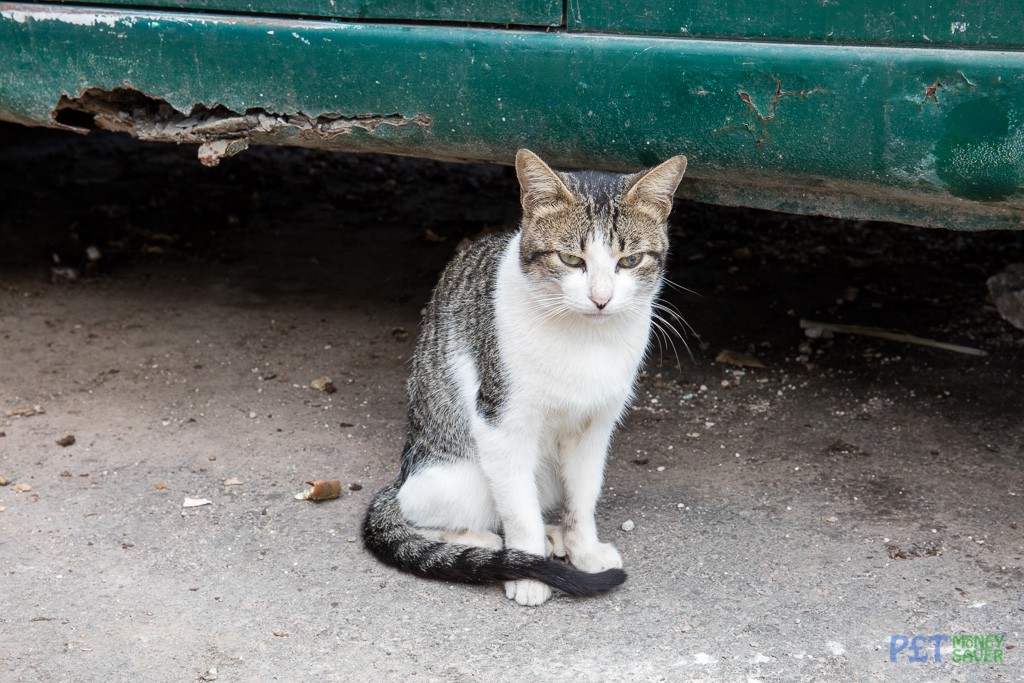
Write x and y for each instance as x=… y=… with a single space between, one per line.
x=395 y=542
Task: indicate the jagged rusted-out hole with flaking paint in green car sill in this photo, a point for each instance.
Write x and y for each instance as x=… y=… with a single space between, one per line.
x=220 y=132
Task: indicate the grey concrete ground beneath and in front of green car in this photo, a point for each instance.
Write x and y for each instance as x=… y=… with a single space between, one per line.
x=789 y=520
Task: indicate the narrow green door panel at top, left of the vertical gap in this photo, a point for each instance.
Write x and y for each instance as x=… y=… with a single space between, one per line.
x=520 y=13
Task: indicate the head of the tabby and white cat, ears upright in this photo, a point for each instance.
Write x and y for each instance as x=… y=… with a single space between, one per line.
x=594 y=243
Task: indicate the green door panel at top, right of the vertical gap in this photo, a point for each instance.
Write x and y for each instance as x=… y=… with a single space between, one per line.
x=924 y=23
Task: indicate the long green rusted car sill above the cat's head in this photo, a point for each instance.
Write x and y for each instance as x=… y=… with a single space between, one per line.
x=926 y=137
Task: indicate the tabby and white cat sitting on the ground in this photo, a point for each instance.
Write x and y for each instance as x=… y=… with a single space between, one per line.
x=528 y=357
